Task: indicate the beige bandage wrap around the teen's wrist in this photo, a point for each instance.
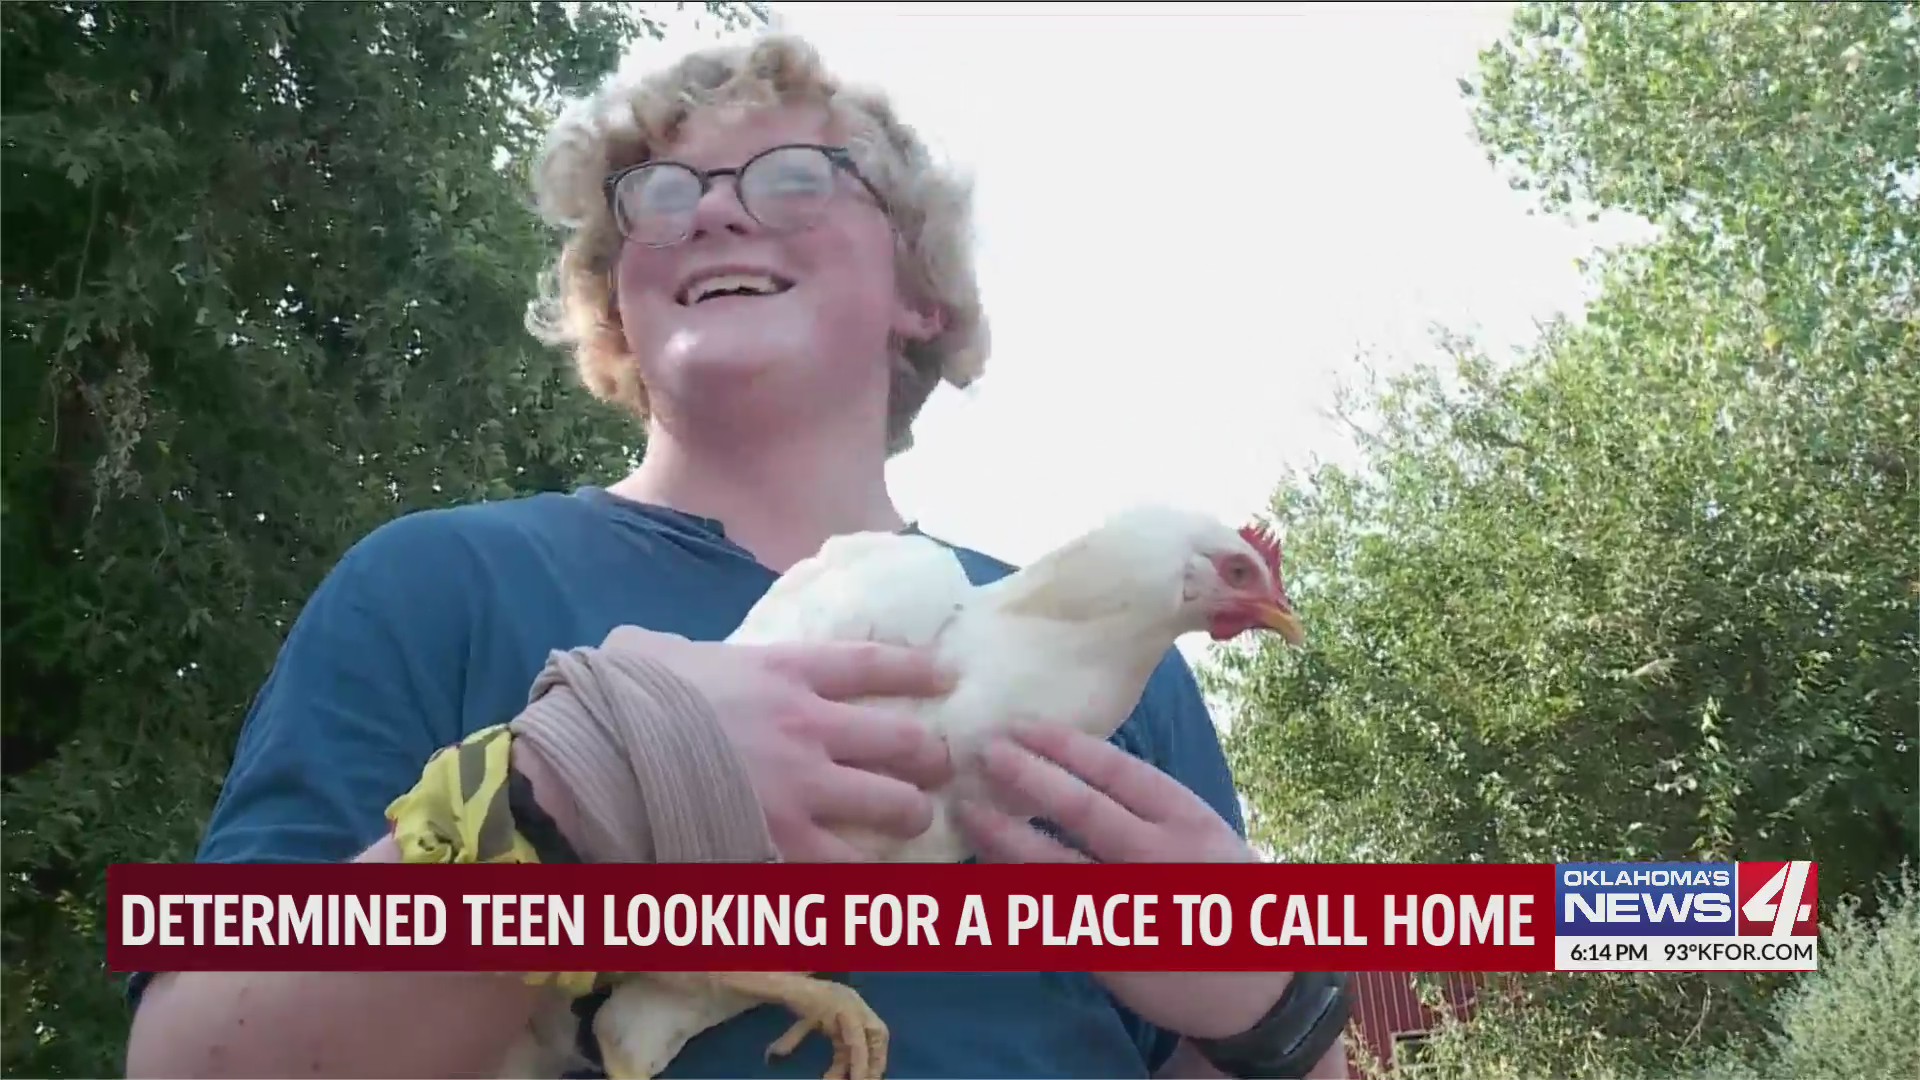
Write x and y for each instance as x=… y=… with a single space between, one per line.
x=646 y=762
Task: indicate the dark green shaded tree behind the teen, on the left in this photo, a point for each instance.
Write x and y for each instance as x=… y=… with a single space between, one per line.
x=264 y=280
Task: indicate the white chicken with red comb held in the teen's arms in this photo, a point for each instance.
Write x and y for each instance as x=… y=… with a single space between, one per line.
x=1074 y=637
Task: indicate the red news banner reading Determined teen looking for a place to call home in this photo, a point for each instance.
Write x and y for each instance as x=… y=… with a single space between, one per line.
x=965 y=918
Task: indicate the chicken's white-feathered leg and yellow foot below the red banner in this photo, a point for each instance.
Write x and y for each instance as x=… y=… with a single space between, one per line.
x=656 y=1014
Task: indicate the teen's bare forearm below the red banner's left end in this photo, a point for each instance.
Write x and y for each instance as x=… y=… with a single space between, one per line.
x=329 y=1023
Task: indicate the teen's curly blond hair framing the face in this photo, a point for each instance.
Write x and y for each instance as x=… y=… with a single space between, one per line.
x=629 y=118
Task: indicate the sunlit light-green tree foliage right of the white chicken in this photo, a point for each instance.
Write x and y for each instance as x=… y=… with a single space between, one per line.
x=1650 y=591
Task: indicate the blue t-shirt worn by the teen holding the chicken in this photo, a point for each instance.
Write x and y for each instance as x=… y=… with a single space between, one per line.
x=437 y=624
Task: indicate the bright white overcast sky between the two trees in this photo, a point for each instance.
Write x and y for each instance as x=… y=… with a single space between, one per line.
x=1189 y=228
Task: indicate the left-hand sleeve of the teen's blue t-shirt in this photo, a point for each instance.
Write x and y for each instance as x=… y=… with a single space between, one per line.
x=368 y=685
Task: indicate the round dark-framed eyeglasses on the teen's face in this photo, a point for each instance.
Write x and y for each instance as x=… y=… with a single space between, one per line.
x=784 y=189
